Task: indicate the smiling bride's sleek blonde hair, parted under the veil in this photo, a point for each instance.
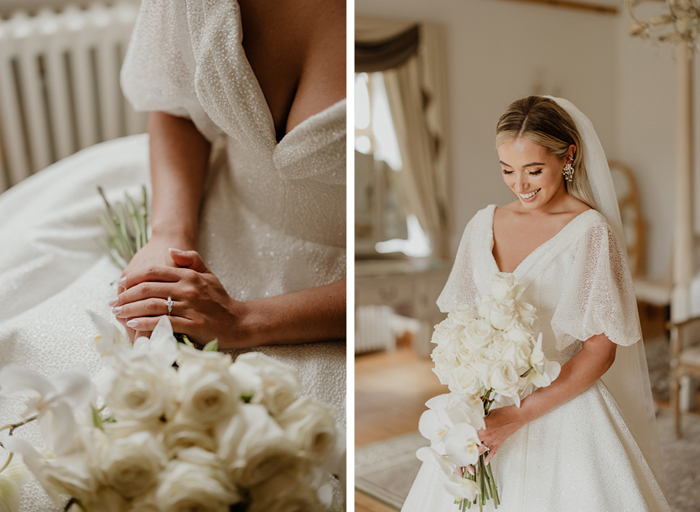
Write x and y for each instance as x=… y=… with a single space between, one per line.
x=546 y=123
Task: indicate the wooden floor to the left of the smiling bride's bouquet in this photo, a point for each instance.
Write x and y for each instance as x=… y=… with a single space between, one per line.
x=390 y=395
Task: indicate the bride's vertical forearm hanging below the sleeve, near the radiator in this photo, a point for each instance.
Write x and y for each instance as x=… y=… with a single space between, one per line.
x=178 y=159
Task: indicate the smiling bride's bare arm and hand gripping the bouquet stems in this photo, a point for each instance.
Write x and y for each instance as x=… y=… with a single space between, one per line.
x=582 y=370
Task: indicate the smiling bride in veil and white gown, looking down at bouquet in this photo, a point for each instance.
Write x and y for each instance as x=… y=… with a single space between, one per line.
x=588 y=441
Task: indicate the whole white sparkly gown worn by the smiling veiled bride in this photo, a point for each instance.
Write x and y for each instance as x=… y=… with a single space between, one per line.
x=581 y=456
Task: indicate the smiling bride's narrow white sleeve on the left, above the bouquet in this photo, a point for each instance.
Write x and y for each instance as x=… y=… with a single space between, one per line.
x=461 y=288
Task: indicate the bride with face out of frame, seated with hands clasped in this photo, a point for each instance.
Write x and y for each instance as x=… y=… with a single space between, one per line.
x=246 y=155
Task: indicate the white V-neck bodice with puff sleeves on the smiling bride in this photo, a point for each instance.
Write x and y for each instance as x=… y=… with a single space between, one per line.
x=578 y=280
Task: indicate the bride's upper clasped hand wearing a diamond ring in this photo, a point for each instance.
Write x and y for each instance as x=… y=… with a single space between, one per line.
x=202 y=309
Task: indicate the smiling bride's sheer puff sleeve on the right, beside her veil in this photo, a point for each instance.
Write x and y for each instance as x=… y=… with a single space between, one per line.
x=597 y=292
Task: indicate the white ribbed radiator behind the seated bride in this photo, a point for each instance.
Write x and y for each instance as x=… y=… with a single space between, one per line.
x=59 y=85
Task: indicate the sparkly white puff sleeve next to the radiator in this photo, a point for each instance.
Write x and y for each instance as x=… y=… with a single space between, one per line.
x=159 y=67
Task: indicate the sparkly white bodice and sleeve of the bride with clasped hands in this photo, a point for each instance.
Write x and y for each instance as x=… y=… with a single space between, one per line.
x=277 y=209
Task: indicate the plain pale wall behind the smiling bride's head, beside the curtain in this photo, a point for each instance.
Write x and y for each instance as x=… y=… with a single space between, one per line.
x=501 y=51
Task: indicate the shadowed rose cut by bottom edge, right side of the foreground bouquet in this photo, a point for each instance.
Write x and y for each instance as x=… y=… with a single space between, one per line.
x=285 y=492
